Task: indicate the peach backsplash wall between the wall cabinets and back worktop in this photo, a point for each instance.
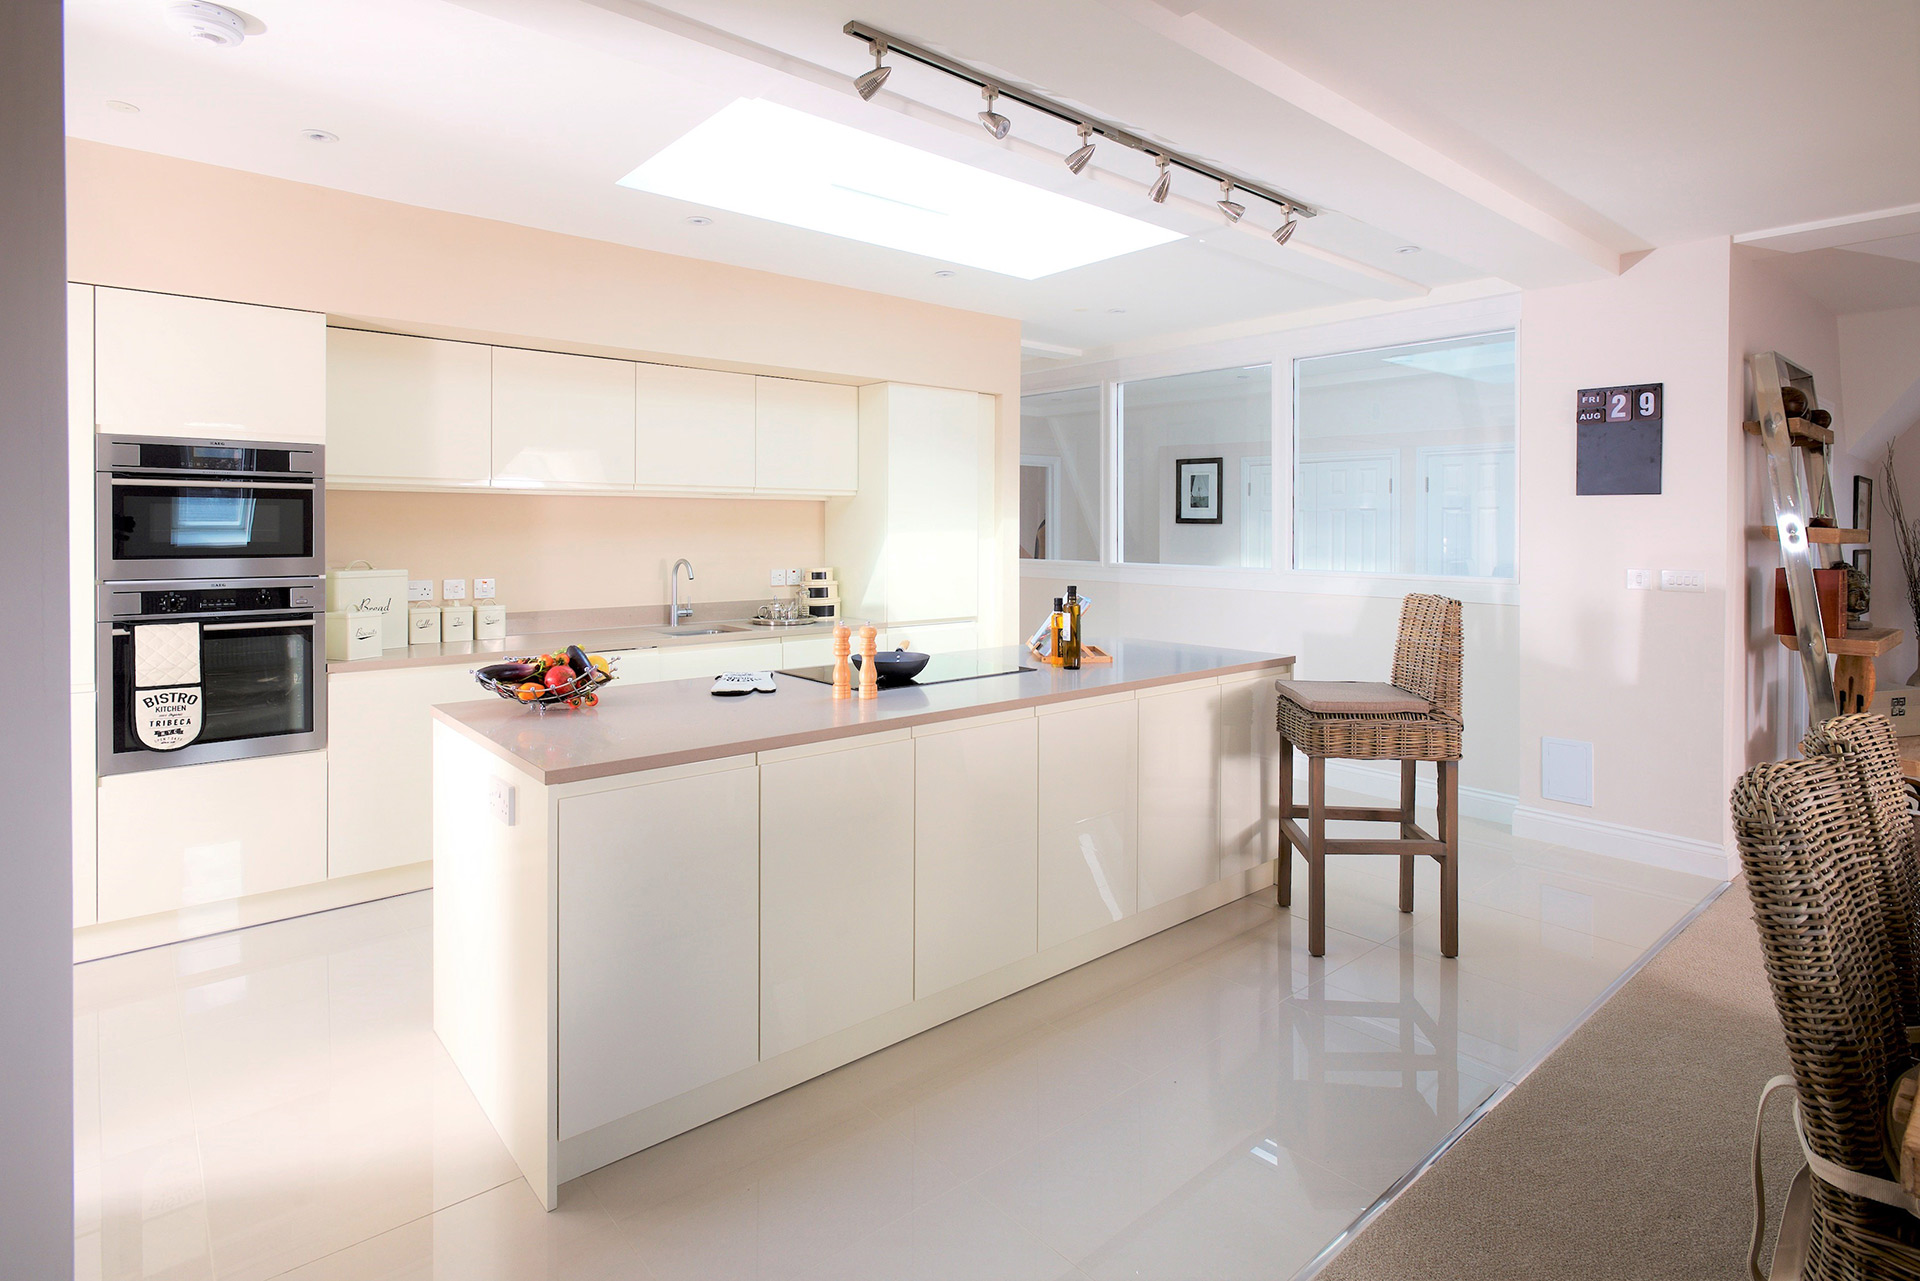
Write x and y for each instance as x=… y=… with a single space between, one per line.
x=569 y=552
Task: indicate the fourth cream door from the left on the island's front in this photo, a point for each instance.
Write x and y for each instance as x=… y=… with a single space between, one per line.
x=1090 y=817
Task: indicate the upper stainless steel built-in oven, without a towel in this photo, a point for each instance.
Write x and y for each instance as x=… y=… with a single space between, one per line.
x=172 y=508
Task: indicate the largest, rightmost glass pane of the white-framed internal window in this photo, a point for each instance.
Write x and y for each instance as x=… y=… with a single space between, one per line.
x=1404 y=460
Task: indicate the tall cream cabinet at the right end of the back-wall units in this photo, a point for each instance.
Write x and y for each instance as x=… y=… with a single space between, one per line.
x=909 y=544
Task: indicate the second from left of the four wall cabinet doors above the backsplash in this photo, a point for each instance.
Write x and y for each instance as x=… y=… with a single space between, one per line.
x=562 y=422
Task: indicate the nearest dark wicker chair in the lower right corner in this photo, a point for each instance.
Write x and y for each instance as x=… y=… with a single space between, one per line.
x=1815 y=877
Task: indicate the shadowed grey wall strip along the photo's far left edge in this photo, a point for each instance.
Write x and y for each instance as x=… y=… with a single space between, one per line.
x=37 y=867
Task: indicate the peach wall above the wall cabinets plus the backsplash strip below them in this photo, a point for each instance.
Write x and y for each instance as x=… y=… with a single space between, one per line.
x=158 y=224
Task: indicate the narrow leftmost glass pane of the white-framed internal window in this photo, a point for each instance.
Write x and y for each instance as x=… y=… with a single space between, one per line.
x=1061 y=475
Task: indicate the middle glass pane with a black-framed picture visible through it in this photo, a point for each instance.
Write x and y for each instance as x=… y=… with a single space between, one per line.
x=1197 y=470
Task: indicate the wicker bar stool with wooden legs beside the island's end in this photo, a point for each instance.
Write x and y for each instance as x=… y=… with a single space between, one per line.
x=1412 y=719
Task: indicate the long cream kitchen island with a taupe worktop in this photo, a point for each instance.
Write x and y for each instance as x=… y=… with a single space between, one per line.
x=673 y=906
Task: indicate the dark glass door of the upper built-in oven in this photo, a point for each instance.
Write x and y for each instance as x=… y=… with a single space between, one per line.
x=158 y=527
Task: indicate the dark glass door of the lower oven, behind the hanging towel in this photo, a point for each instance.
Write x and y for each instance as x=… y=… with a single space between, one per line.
x=258 y=681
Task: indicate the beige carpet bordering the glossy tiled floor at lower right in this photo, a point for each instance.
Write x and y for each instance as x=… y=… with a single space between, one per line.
x=1625 y=1153
